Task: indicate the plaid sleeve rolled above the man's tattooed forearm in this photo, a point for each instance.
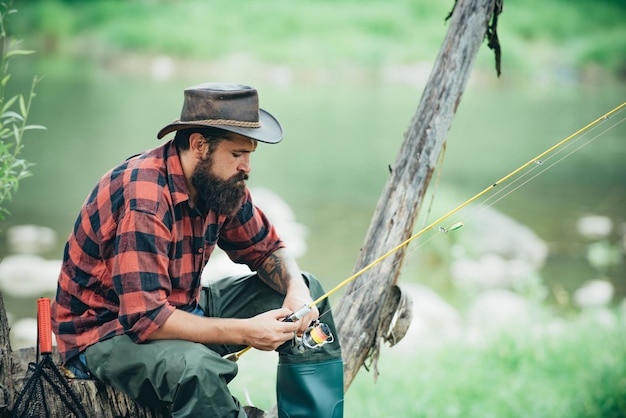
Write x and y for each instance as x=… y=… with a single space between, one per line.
x=249 y=237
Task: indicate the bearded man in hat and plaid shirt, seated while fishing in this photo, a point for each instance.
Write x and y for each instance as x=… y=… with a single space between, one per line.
x=130 y=308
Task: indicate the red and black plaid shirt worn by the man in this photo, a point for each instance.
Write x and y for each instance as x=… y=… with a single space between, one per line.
x=138 y=249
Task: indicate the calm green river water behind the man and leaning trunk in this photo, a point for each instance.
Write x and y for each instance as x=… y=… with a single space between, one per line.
x=340 y=140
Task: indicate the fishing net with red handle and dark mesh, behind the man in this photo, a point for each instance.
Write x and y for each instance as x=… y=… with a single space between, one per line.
x=46 y=392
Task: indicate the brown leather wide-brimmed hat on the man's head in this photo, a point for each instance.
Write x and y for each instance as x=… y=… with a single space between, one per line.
x=231 y=107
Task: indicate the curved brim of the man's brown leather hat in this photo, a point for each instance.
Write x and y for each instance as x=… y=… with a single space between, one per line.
x=270 y=131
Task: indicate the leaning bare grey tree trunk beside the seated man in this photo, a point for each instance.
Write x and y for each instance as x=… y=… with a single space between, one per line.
x=358 y=314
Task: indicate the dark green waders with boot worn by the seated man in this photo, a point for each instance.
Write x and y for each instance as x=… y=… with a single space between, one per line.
x=193 y=378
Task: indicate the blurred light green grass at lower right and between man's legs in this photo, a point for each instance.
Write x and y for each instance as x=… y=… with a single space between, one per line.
x=574 y=370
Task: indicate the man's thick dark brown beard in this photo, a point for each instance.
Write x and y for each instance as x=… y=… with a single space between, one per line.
x=222 y=196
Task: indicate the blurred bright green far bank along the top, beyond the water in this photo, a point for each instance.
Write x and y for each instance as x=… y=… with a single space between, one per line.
x=572 y=33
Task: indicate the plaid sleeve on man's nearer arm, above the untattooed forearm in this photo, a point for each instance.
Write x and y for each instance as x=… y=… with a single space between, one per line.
x=140 y=274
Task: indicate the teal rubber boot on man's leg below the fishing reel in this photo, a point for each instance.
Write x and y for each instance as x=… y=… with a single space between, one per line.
x=311 y=390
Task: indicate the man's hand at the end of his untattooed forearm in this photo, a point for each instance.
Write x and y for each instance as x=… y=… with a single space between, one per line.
x=267 y=331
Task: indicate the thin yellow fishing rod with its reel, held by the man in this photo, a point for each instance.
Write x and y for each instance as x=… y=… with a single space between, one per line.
x=319 y=336
